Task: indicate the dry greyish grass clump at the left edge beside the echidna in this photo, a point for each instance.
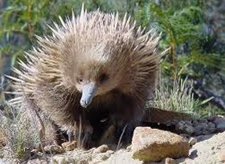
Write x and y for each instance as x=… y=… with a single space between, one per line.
x=20 y=134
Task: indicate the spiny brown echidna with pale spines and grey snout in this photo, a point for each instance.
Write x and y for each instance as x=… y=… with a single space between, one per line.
x=93 y=66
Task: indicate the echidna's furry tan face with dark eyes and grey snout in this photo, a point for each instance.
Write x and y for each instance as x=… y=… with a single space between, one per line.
x=94 y=74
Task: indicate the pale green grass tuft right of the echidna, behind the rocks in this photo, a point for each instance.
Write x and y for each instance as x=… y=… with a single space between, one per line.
x=178 y=98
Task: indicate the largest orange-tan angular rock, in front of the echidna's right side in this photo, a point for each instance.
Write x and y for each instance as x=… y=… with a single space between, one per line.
x=153 y=145
